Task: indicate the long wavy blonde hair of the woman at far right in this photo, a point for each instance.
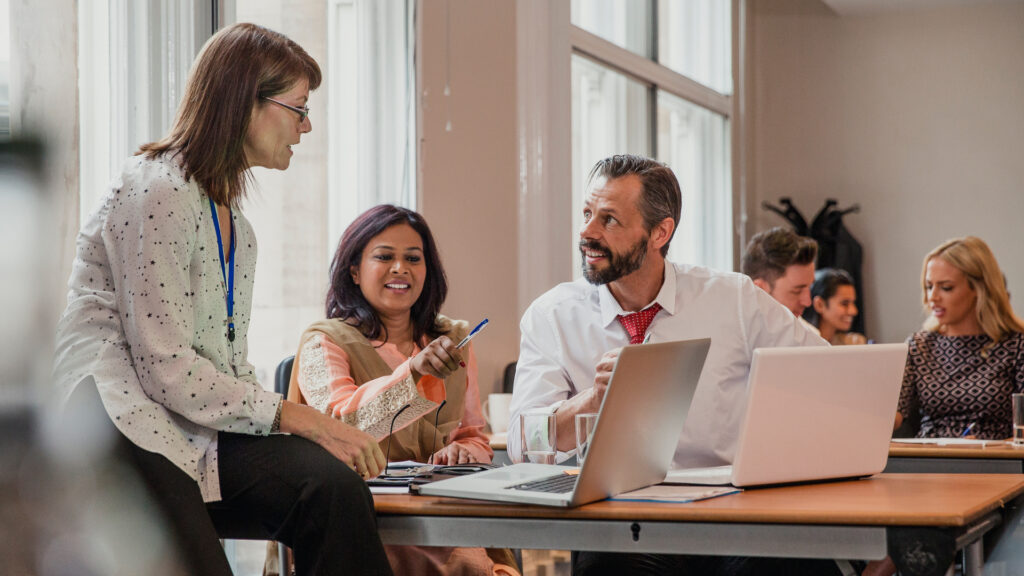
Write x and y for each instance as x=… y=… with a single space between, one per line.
x=973 y=258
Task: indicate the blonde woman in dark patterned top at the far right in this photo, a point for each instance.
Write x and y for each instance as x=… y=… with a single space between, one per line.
x=968 y=360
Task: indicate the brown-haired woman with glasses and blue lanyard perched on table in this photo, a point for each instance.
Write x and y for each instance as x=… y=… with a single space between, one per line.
x=157 y=321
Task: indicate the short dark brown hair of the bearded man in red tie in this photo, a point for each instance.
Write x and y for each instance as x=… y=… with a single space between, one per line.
x=661 y=197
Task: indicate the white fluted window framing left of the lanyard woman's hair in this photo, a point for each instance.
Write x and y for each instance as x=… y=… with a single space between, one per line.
x=134 y=60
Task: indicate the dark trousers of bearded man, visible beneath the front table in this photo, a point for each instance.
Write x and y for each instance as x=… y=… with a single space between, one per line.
x=610 y=564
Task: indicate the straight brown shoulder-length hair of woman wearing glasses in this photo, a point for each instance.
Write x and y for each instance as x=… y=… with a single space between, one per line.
x=238 y=66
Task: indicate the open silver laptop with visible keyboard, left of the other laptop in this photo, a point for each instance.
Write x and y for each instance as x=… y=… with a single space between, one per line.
x=637 y=431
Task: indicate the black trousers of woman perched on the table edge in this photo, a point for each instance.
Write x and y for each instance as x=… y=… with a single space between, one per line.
x=280 y=487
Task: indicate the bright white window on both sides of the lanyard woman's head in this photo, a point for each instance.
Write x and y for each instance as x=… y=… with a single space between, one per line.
x=135 y=60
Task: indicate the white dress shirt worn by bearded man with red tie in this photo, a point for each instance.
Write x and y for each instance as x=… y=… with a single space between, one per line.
x=568 y=330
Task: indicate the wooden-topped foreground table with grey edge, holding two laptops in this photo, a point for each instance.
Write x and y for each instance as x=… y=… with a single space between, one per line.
x=920 y=520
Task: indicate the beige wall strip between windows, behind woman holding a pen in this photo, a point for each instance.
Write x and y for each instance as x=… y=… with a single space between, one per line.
x=468 y=176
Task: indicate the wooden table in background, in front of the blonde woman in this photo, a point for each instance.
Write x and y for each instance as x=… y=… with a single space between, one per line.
x=999 y=459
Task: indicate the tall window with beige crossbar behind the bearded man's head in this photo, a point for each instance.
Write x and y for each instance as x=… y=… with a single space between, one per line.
x=656 y=80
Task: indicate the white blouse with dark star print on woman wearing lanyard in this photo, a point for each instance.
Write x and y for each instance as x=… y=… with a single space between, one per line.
x=147 y=321
